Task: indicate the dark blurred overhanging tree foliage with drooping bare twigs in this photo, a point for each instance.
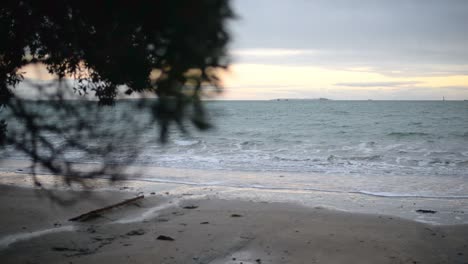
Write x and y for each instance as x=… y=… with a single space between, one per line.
x=171 y=50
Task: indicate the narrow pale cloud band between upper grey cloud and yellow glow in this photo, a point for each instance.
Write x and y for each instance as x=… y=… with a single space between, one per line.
x=362 y=61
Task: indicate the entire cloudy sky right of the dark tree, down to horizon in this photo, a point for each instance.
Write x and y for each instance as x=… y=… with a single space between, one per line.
x=349 y=49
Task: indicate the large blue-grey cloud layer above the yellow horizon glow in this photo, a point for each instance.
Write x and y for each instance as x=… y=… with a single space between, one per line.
x=398 y=37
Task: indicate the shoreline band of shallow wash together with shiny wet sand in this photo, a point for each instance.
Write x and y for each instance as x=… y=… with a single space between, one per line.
x=449 y=211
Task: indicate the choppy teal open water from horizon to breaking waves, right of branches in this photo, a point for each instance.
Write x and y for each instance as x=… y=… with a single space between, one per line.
x=331 y=137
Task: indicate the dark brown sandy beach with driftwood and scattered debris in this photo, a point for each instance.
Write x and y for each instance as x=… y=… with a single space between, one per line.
x=165 y=228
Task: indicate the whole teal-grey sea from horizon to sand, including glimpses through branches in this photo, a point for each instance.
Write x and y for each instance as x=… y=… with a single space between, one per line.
x=415 y=149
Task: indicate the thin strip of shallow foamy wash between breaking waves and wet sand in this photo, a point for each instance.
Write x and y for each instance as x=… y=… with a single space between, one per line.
x=223 y=178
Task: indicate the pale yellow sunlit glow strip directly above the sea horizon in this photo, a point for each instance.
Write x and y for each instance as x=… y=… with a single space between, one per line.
x=257 y=81
